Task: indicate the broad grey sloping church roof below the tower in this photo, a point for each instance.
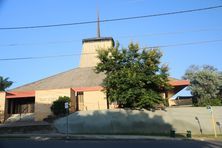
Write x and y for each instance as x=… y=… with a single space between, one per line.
x=78 y=77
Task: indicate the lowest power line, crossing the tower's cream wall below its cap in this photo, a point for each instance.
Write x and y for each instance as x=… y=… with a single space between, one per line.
x=149 y=47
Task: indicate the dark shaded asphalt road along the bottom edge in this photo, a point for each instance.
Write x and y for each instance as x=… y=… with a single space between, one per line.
x=46 y=143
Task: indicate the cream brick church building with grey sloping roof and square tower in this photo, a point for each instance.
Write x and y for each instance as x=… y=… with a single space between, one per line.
x=81 y=84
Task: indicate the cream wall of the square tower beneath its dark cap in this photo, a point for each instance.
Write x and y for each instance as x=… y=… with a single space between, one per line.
x=90 y=60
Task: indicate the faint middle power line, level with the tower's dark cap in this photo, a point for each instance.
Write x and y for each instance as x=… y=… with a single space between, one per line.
x=123 y=36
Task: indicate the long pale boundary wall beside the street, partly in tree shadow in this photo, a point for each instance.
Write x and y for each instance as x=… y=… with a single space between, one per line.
x=121 y=121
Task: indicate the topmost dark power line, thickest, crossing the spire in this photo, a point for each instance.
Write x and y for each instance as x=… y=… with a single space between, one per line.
x=112 y=20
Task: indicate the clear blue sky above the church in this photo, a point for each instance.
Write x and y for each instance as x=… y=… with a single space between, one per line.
x=202 y=29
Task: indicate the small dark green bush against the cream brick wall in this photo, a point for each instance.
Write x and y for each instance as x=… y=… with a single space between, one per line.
x=58 y=106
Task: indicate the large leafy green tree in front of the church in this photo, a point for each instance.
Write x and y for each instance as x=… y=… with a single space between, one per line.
x=134 y=76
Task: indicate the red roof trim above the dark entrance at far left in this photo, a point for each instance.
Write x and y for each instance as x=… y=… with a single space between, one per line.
x=22 y=94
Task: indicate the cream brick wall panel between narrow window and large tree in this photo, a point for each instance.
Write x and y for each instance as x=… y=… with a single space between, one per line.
x=95 y=100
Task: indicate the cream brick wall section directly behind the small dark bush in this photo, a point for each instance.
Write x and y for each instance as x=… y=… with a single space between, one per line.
x=44 y=100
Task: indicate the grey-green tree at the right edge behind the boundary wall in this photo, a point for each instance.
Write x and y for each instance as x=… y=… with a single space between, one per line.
x=206 y=84
